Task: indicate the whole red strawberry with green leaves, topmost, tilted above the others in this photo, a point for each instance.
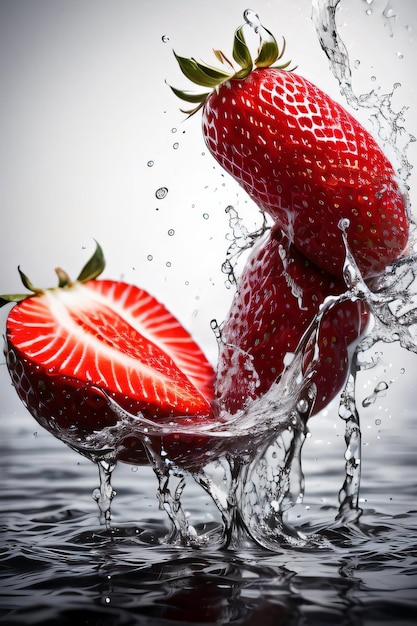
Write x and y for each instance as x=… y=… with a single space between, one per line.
x=300 y=156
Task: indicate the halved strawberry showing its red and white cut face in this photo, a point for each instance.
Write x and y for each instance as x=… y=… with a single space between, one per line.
x=70 y=348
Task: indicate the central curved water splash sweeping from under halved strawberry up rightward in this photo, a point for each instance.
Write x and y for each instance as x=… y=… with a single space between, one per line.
x=258 y=448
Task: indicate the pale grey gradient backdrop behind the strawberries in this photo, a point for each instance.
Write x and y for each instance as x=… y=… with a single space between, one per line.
x=84 y=106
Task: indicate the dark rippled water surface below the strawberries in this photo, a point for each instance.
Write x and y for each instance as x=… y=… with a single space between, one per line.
x=60 y=566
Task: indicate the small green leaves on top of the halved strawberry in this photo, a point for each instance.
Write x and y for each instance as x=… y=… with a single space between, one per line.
x=91 y=270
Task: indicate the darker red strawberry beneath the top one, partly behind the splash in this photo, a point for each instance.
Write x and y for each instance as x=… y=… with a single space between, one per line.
x=277 y=297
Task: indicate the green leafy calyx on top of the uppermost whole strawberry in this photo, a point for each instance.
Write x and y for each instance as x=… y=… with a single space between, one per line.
x=211 y=77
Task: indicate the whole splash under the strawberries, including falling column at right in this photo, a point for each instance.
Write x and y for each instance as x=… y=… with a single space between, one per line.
x=250 y=463
